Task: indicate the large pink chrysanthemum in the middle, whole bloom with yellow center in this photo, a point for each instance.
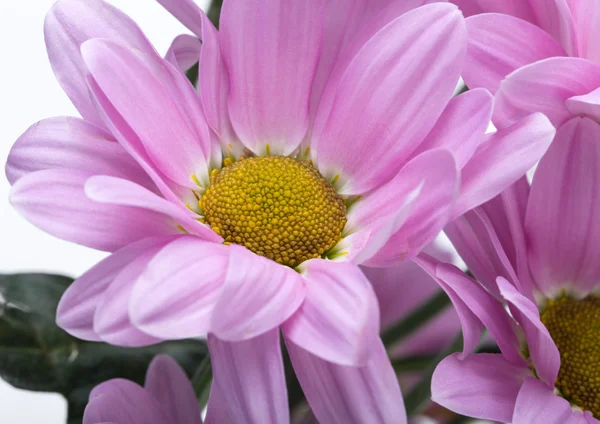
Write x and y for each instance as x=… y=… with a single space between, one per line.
x=216 y=219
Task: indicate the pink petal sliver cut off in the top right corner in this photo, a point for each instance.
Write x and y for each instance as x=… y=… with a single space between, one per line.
x=586 y=17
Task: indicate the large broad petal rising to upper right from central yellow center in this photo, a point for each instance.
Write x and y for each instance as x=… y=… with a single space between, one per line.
x=388 y=100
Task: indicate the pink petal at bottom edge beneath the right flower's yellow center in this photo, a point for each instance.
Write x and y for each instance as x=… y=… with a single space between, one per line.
x=537 y=404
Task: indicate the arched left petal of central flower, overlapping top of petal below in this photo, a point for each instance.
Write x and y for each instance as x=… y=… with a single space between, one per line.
x=71 y=143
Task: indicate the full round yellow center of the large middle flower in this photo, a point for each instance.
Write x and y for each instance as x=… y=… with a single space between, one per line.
x=276 y=206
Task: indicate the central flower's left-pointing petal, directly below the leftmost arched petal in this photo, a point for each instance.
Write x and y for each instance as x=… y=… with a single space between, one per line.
x=54 y=201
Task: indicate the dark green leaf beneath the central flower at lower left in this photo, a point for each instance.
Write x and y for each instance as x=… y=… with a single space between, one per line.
x=37 y=355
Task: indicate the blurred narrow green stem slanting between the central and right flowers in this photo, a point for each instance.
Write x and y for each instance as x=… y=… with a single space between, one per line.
x=416 y=319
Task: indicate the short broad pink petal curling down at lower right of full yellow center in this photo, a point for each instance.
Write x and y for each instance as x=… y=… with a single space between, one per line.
x=339 y=319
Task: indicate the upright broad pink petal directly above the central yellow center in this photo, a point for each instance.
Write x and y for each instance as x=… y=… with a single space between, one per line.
x=271 y=50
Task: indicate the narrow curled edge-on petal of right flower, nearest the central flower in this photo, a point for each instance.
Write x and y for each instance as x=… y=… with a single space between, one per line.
x=471 y=325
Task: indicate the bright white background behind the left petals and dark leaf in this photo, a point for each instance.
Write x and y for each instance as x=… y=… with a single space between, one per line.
x=29 y=93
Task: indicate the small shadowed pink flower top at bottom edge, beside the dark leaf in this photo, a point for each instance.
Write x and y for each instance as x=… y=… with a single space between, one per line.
x=166 y=398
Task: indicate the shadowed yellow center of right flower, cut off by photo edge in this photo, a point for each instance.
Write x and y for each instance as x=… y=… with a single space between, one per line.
x=575 y=328
